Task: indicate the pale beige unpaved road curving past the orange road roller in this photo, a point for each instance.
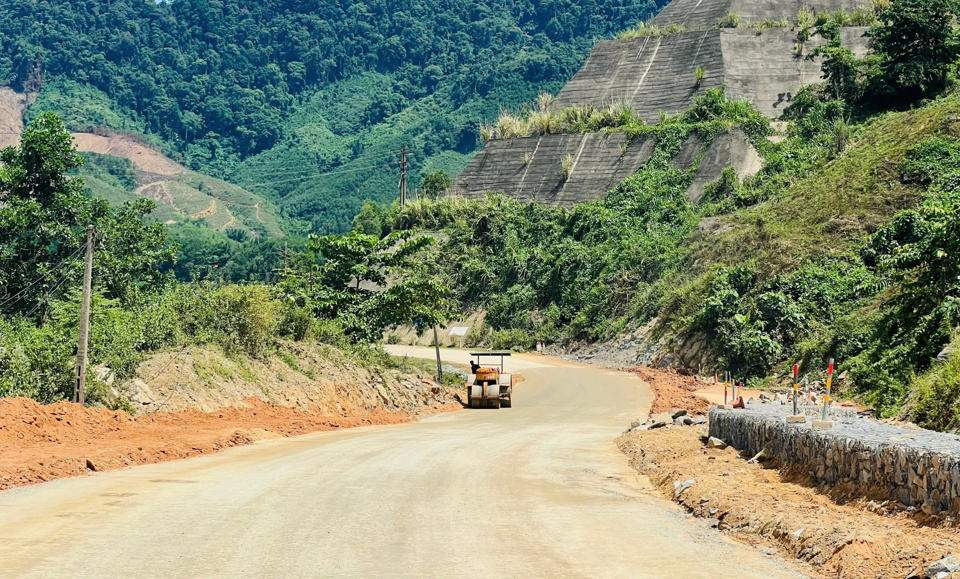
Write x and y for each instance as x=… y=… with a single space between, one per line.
x=533 y=491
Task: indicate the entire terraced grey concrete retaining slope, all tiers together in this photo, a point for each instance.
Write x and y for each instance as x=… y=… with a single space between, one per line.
x=656 y=75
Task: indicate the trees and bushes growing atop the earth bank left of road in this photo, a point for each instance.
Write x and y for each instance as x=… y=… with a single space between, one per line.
x=138 y=307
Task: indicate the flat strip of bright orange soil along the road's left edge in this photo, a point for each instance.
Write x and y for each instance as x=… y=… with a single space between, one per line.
x=44 y=442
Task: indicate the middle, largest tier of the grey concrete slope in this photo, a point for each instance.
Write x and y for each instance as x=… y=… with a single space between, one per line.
x=656 y=74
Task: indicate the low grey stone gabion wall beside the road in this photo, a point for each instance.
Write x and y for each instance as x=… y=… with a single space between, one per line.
x=916 y=467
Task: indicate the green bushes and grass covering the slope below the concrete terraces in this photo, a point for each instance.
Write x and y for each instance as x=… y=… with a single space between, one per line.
x=844 y=246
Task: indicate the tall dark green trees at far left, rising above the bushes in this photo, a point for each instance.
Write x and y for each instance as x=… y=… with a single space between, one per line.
x=44 y=214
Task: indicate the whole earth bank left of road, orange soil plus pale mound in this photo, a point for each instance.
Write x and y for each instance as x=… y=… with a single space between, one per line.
x=196 y=401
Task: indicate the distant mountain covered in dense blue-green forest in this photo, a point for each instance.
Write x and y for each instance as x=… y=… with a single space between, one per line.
x=272 y=94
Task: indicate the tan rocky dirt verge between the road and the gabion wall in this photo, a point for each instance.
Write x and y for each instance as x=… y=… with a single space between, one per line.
x=758 y=505
